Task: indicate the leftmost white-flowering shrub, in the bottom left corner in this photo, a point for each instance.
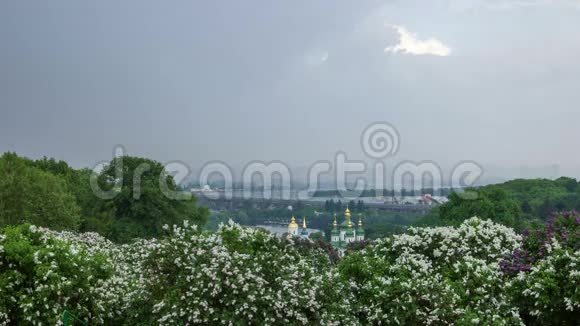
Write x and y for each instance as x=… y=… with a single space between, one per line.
x=40 y=276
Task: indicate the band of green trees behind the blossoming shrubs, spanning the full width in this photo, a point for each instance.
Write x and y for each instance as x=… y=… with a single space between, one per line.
x=50 y=193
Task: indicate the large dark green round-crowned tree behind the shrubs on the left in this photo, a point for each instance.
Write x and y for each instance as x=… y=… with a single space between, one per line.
x=140 y=206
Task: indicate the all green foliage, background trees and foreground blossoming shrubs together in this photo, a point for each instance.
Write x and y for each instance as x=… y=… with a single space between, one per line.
x=441 y=275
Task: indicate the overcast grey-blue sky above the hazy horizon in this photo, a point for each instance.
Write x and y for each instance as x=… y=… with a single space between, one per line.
x=497 y=82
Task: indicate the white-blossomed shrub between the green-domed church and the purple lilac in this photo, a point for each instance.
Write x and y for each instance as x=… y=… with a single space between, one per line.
x=435 y=276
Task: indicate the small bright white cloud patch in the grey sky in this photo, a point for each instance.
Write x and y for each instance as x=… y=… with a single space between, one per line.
x=410 y=44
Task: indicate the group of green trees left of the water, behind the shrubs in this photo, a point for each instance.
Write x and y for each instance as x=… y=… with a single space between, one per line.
x=52 y=194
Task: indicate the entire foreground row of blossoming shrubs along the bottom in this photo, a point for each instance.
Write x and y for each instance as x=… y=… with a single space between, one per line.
x=241 y=276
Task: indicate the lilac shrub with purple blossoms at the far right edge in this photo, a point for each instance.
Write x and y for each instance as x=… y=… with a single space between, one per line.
x=546 y=272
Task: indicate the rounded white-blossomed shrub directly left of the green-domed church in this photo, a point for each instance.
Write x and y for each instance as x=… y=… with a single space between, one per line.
x=241 y=275
